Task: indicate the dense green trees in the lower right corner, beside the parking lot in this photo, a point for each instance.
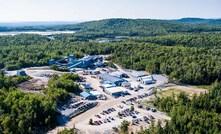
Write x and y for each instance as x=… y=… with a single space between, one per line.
x=199 y=115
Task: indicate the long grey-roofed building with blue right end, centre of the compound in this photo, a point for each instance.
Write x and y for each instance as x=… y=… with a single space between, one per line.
x=111 y=79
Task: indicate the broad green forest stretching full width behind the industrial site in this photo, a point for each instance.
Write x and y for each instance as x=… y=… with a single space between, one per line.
x=185 y=58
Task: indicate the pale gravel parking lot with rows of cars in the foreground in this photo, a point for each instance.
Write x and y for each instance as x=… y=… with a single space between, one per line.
x=112 y=117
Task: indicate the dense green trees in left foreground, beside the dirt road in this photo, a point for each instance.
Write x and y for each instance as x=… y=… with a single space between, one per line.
x=32 y=113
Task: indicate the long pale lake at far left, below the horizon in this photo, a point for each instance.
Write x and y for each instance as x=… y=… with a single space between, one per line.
x=46 y=33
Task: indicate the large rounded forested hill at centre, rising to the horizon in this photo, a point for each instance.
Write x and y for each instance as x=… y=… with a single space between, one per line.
x=139 y=27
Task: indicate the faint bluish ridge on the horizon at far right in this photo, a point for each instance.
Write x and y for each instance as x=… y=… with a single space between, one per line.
x=199 y=21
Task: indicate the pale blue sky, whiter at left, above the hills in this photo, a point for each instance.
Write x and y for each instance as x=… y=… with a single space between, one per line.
x=85 y=10
